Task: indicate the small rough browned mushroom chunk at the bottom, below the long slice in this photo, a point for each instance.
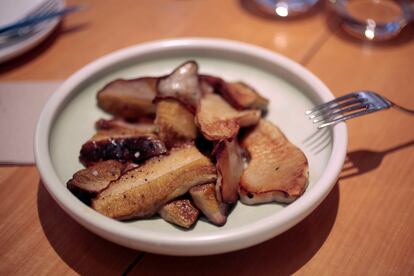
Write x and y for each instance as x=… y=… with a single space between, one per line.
x=180 y=212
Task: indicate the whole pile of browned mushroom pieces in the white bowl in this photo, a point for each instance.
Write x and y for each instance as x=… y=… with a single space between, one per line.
x=184 y=139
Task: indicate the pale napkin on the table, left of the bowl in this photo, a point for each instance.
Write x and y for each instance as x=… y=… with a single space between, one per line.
x=20 y=107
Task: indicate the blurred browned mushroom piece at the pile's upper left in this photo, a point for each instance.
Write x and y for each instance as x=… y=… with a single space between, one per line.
x=129 y=99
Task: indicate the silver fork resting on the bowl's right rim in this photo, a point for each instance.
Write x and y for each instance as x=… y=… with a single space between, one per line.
x=350 y=106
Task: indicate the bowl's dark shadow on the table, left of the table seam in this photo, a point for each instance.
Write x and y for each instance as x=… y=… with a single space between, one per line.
x=81 y=250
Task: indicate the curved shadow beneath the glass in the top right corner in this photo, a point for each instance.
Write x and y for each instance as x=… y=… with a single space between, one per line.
x=334 y=24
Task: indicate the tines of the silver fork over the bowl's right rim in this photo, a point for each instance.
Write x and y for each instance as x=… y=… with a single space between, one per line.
x=338 y=110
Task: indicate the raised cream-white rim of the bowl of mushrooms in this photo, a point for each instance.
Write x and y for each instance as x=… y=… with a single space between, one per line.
x=221 y=241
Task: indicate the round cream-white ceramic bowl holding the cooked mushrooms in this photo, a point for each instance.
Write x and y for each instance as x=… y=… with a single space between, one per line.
x=68 y=120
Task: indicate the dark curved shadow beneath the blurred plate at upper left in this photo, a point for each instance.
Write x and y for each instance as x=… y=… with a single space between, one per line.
x=41 y=48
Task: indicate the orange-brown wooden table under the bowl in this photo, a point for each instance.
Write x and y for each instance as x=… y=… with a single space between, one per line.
x=364 y=227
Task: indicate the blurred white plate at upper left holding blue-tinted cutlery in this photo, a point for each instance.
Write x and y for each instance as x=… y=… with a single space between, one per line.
x=13 y=10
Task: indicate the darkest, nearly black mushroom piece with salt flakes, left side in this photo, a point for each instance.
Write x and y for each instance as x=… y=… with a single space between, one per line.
x=120 y=147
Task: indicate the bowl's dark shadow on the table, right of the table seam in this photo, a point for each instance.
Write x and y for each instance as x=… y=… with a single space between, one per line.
x=282 y=255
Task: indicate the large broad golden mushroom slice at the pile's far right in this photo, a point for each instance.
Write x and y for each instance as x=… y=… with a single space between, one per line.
x=277 y=171
